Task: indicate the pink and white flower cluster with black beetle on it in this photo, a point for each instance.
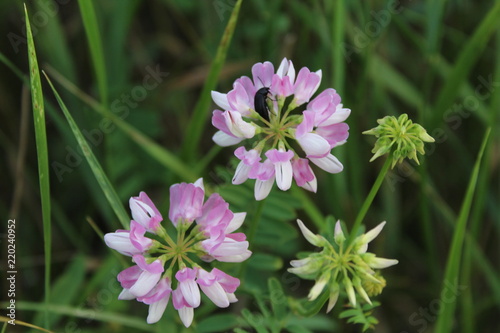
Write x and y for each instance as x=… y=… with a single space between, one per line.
x=317 y=128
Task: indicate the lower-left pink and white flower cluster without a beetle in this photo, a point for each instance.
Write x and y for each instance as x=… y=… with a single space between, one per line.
x=163 y=268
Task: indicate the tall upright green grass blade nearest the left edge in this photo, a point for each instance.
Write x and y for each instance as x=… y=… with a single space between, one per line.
x=42 y=156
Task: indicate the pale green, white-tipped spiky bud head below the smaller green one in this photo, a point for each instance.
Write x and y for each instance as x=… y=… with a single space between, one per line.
x=340 y=265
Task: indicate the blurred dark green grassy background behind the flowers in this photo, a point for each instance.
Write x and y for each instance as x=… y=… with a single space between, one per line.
x=437 y=61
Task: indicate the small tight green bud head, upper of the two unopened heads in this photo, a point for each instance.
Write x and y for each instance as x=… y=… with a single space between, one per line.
x=400 y=136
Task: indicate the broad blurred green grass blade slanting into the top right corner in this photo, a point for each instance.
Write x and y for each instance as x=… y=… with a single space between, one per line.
x=466 y=60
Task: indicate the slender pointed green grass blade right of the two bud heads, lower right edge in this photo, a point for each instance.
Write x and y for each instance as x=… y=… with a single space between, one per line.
x=451 y=276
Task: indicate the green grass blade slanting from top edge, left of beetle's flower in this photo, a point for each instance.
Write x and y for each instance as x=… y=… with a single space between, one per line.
x=201 y=111
